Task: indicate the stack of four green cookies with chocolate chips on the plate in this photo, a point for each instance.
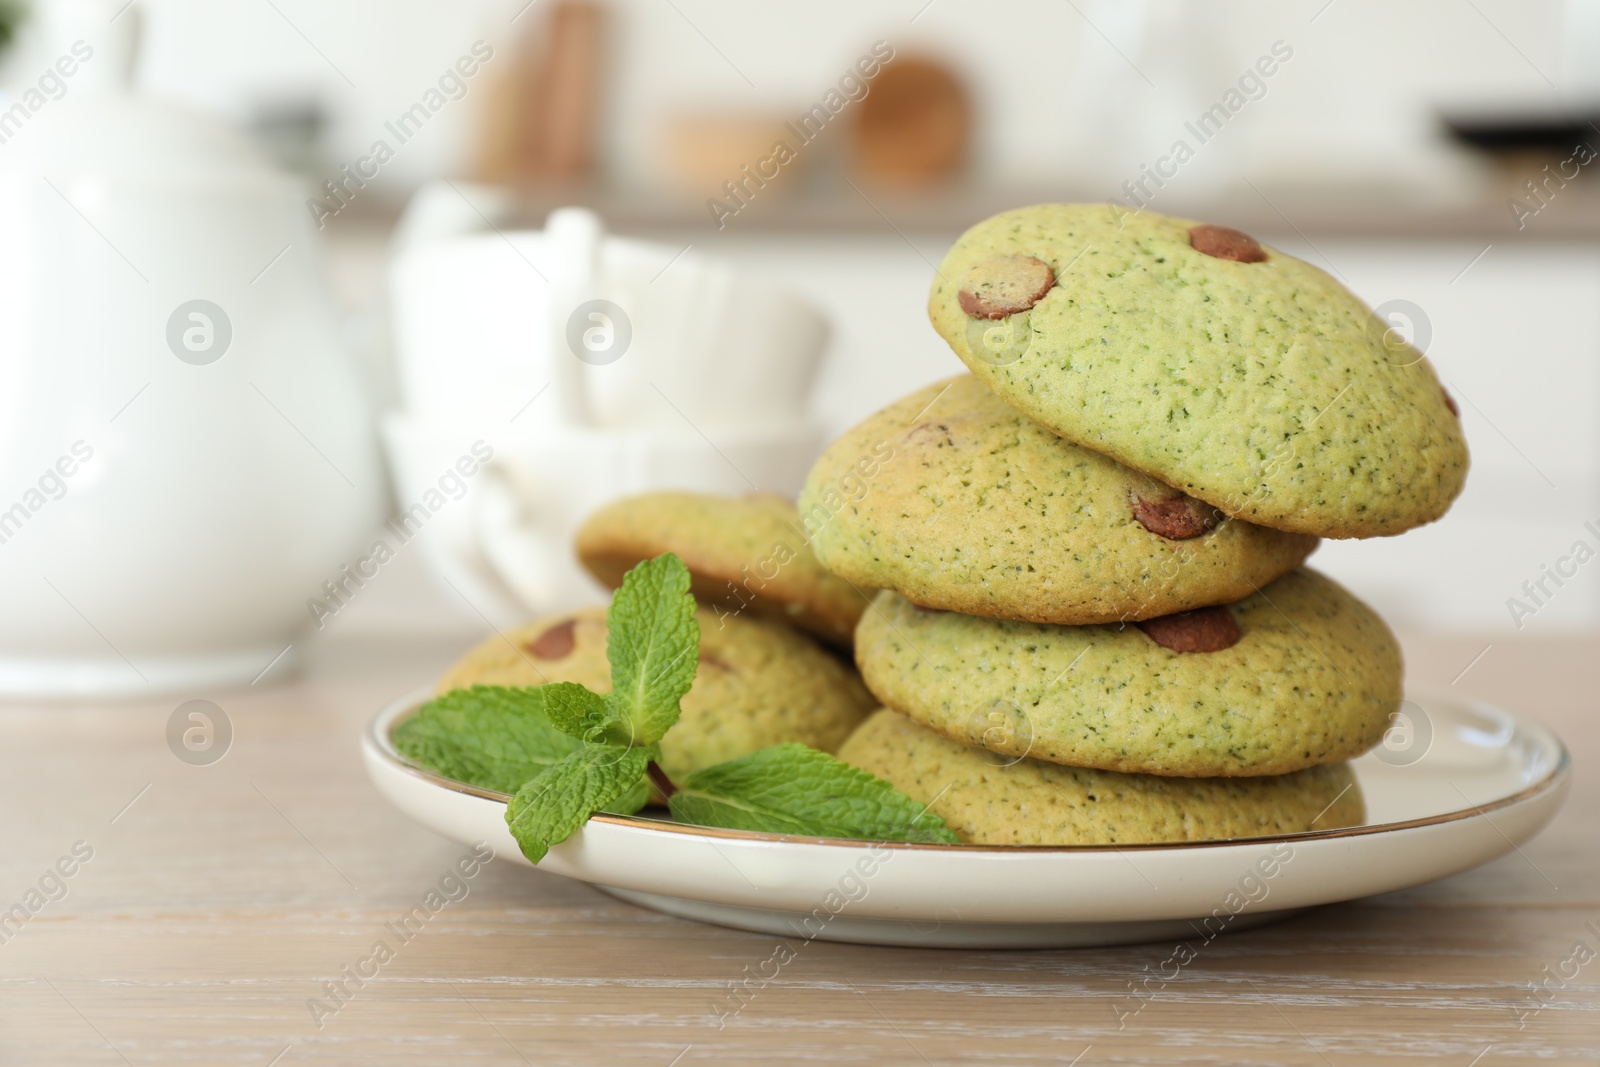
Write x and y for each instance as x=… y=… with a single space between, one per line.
x=1095 y=626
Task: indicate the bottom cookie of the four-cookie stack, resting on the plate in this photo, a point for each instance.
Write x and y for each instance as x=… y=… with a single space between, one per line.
x=996 y=801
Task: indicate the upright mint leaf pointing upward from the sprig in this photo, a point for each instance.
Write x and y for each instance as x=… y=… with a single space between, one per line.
x=652 y=642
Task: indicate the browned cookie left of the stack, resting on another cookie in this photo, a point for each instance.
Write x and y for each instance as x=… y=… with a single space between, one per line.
x=745 y=556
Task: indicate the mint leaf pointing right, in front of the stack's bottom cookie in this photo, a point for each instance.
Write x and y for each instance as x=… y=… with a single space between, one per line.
x=794 y=789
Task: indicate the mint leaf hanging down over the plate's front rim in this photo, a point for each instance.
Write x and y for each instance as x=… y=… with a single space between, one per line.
x=553 y=807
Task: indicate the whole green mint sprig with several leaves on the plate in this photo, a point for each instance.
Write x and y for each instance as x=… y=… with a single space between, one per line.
x=569 y=753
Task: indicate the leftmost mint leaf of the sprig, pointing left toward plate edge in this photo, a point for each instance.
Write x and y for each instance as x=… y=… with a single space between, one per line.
x=487 y=737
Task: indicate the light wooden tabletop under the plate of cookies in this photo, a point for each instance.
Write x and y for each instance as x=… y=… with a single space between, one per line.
x=222 y=898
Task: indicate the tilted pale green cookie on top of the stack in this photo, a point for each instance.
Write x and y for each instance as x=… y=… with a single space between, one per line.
x=1262 y=388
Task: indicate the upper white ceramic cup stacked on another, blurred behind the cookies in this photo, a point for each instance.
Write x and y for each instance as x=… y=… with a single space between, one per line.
x=487 y=321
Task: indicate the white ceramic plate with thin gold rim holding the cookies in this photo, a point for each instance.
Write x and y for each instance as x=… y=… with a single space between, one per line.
x=1486 y=783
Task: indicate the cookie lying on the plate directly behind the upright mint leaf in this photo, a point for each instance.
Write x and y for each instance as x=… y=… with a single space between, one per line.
x=759 y=684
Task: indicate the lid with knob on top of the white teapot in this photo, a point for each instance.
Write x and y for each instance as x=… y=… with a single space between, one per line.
x=84 y=119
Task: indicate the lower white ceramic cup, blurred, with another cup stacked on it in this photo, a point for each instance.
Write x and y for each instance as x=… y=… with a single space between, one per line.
x=506 y=546
